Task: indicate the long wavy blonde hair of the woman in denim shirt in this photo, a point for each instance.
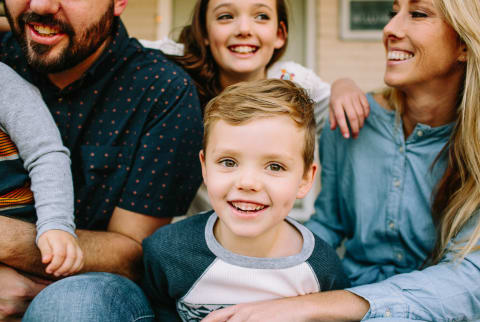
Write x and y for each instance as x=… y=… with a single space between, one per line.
x=457 y=196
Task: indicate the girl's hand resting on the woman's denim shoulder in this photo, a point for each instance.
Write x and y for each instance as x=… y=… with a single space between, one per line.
x=346 y=99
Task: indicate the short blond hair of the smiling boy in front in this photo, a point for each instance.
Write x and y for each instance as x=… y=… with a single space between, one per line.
x=247 y=101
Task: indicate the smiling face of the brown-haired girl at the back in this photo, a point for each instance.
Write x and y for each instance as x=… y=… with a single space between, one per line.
x=242 y=36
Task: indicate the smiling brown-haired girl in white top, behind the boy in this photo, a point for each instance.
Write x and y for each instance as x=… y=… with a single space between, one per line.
x=232 y=41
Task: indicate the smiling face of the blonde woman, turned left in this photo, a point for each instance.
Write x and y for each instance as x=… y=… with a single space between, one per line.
x=421 y=47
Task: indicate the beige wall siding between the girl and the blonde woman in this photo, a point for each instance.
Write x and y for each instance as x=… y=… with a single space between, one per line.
x=363 y=61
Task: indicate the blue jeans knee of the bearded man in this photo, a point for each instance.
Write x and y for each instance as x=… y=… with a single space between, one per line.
x=90 y=297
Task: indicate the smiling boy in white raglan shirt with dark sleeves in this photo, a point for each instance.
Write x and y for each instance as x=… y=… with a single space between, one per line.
x=257 y=159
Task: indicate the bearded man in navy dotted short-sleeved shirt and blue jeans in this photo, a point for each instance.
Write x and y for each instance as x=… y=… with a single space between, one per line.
x=132 y=122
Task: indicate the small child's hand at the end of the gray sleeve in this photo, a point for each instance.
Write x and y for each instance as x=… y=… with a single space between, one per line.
x=61 y=251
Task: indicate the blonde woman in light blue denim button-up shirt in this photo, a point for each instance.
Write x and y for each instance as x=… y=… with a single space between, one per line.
x=408 y=205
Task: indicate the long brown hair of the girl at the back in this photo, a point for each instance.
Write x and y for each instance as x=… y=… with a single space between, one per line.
x=198 y=60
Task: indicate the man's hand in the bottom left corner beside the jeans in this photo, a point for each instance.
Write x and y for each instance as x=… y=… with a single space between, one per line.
x=16 y=293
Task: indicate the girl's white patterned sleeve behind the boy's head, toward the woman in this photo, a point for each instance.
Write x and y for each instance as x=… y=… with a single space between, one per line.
x=303 y=76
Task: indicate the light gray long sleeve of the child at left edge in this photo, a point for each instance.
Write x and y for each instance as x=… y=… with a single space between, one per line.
x=27 y=120
